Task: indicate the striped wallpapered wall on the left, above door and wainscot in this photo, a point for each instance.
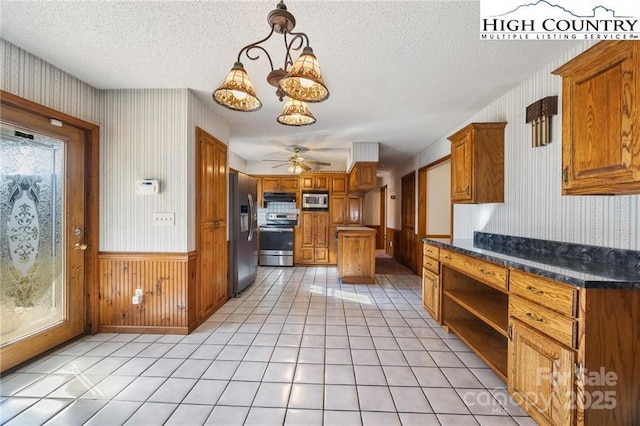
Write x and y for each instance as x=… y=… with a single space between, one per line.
x=145 y=133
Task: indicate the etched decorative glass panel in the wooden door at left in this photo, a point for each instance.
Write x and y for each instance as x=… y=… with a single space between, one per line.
x=31 y=233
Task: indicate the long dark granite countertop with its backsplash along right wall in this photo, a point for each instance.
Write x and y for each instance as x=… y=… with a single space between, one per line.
x=579 y=265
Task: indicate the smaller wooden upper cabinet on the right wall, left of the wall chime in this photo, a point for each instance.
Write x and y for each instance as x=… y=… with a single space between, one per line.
x=477 y=163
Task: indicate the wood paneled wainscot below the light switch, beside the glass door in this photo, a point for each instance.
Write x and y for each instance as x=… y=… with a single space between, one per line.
x=168 y=282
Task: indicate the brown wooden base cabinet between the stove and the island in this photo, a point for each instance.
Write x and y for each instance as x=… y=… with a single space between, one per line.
x=313 y=236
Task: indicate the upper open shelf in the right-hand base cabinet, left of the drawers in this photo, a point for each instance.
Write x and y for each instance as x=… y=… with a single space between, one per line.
x=491 y=308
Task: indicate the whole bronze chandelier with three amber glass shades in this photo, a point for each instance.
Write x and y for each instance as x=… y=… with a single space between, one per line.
x=301 y=84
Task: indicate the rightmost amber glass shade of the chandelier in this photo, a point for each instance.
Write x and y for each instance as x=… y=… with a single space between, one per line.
x=304 y=81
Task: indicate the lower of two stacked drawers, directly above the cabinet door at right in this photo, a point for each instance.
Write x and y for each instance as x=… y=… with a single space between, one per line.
x=559 y=327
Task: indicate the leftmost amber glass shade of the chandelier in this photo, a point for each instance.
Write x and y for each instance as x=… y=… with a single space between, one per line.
x=237 y=92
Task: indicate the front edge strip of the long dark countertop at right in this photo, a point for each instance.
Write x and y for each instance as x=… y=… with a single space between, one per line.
x=540 y=271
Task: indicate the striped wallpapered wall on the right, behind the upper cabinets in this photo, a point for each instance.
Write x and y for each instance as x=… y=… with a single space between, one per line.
x=534 y=206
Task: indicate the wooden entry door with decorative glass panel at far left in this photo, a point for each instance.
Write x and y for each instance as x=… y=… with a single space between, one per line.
x=44 y=208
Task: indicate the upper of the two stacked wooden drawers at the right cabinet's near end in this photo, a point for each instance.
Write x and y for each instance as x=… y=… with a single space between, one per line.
x=550 y=294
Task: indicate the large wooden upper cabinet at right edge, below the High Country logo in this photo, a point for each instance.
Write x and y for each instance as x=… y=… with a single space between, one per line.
x=601 y=120
